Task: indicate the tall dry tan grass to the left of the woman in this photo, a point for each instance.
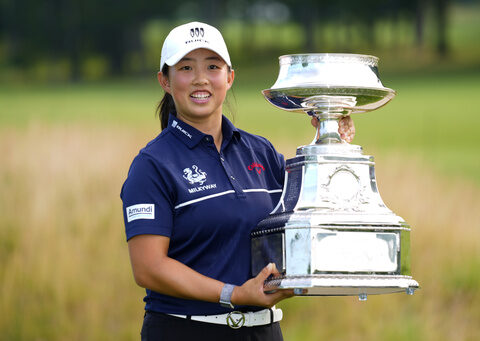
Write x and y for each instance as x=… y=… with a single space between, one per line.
x=65 y=272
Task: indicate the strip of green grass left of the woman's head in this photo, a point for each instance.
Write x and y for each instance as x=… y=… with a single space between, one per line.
x=109 y=102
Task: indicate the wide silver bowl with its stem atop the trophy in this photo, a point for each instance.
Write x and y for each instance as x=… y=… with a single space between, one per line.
x=328 y=86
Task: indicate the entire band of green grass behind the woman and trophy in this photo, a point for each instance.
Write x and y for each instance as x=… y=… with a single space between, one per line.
x=434 y=116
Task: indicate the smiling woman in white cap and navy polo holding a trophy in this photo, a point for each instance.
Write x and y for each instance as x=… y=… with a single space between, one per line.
x=193 y=195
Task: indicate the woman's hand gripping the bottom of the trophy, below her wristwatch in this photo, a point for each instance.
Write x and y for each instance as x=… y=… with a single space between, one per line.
x=252 y=292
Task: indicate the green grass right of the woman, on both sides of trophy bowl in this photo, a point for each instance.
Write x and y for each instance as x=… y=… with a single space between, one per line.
x=434 y=117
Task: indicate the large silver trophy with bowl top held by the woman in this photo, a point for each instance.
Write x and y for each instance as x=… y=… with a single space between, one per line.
x=331 y=233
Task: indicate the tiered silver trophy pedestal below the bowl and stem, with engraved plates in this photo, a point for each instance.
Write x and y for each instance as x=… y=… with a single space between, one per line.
x=331 y=234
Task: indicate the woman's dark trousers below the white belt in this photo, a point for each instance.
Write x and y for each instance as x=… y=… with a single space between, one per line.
x=163 y=327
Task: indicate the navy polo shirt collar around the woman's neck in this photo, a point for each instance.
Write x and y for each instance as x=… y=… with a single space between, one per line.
x=192 y=136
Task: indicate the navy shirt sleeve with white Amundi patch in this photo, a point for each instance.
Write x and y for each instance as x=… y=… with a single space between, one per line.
x=147 y=200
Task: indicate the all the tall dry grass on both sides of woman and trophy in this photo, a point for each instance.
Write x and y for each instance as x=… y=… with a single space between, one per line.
x=65 y=273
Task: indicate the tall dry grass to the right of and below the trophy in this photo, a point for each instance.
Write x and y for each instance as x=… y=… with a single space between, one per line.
x=445 y=249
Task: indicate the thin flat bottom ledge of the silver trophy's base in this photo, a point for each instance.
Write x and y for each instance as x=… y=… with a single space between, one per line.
x=343 y=285
